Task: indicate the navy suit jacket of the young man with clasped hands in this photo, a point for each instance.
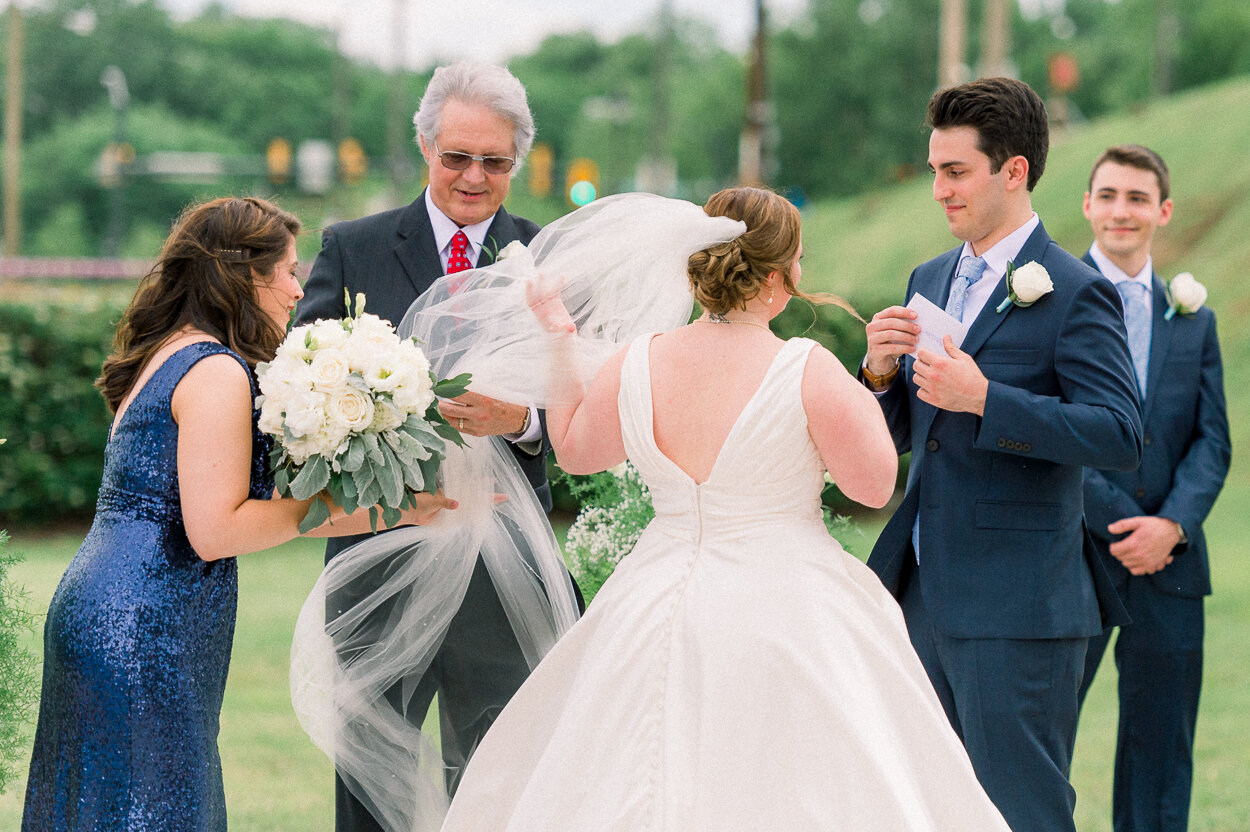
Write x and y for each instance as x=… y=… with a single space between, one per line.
x=1186 y=449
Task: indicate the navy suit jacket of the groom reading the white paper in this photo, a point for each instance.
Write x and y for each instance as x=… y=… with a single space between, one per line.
x=1003 y=547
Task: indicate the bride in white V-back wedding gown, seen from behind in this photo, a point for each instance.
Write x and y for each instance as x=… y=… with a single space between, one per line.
x=739 y=670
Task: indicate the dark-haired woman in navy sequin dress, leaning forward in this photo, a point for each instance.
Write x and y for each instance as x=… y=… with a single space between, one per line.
x=138 y=639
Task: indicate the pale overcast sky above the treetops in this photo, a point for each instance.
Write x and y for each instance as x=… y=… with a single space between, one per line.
x=491 y=31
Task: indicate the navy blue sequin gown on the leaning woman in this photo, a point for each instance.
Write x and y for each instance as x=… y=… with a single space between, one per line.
x=137 y=645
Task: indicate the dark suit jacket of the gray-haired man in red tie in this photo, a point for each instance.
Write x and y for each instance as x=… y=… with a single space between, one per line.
x=393 y=258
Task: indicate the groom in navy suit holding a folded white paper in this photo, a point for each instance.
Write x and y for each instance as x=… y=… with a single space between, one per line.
x=988 y=554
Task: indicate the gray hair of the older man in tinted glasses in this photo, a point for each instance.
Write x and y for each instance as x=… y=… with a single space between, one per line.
x=483 y=84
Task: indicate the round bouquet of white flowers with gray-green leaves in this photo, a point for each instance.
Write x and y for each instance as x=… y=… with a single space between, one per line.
x=353 y=409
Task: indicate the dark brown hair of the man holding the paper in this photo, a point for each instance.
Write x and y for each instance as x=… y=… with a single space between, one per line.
x=1009 y=118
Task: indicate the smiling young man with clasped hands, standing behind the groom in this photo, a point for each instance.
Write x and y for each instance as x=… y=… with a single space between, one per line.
x=1148 y=523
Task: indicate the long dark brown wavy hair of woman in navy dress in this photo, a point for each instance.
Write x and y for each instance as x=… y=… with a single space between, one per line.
x=204 y=279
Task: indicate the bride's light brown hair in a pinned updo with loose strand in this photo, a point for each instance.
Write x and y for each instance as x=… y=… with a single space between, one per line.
x=731 y=274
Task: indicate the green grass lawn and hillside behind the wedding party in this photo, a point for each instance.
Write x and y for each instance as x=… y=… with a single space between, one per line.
x=859 y=248
